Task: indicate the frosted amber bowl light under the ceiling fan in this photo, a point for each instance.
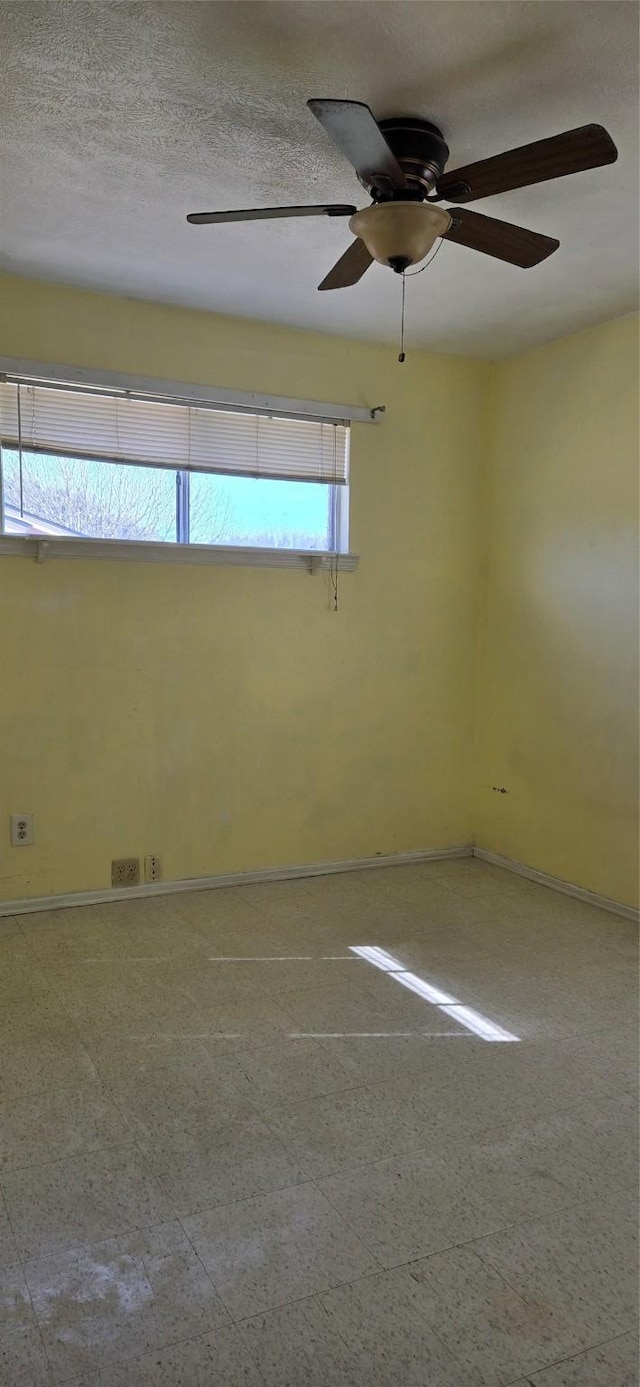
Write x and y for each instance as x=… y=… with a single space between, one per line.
x=399 y=234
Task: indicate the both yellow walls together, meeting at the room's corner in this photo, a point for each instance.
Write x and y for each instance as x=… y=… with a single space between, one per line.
x=228 y=719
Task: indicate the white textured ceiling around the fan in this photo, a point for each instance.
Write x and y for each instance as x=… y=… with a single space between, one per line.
x=116 y=120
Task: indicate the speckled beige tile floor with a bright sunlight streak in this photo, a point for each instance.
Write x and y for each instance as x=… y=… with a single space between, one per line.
x=356 y=1131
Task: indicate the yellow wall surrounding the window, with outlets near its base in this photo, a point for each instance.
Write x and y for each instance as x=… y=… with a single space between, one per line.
x=228 y=719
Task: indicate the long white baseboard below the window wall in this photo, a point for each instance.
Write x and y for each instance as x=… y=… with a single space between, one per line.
x=239 y=879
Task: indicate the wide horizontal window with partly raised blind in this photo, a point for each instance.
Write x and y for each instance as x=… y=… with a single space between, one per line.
x=109 y=465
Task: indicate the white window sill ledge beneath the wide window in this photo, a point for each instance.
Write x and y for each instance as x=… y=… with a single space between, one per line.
x=44 y=547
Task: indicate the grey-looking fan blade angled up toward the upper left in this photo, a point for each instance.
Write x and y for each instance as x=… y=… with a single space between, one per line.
x=356 y=132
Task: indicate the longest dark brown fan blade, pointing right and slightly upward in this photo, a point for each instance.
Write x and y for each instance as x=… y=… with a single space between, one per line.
x=587 y=148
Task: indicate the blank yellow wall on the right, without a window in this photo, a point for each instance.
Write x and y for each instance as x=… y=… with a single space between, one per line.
x=557 y=723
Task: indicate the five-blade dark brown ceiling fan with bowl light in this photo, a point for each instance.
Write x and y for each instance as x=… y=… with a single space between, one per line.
x=402 y=164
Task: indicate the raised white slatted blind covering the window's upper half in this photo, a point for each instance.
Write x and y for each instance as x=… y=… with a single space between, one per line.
x=121 y=428
